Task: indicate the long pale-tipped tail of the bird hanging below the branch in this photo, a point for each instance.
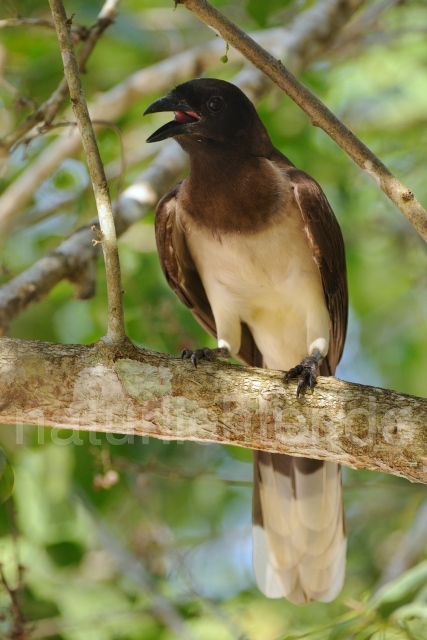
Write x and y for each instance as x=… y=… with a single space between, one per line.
x=299 y=538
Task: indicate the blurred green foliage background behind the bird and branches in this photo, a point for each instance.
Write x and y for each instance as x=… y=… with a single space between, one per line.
x=120 y=539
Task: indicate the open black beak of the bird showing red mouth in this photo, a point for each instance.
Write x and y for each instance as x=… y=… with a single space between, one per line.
x=184 y=121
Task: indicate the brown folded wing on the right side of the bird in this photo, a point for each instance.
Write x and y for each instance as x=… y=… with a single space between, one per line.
x=327 y=246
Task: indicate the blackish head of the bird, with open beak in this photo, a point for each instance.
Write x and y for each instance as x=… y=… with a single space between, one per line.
x=208 y=110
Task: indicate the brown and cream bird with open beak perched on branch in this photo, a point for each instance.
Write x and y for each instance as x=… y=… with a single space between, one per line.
x=250 y=244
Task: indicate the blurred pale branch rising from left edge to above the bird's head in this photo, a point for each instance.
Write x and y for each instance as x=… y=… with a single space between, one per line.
x=297 y=45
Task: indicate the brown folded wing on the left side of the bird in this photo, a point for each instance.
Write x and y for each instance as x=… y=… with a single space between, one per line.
x=182 y=276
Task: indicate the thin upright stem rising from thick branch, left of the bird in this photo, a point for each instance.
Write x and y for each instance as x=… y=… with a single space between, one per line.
x=116 y=327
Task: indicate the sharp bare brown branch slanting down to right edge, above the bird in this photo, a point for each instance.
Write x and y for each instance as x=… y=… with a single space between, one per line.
x=320 y=115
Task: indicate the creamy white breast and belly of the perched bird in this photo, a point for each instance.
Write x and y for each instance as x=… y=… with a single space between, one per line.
x=268 y=279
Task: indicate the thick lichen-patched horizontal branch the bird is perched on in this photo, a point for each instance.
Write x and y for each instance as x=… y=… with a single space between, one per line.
x=125 y=390
